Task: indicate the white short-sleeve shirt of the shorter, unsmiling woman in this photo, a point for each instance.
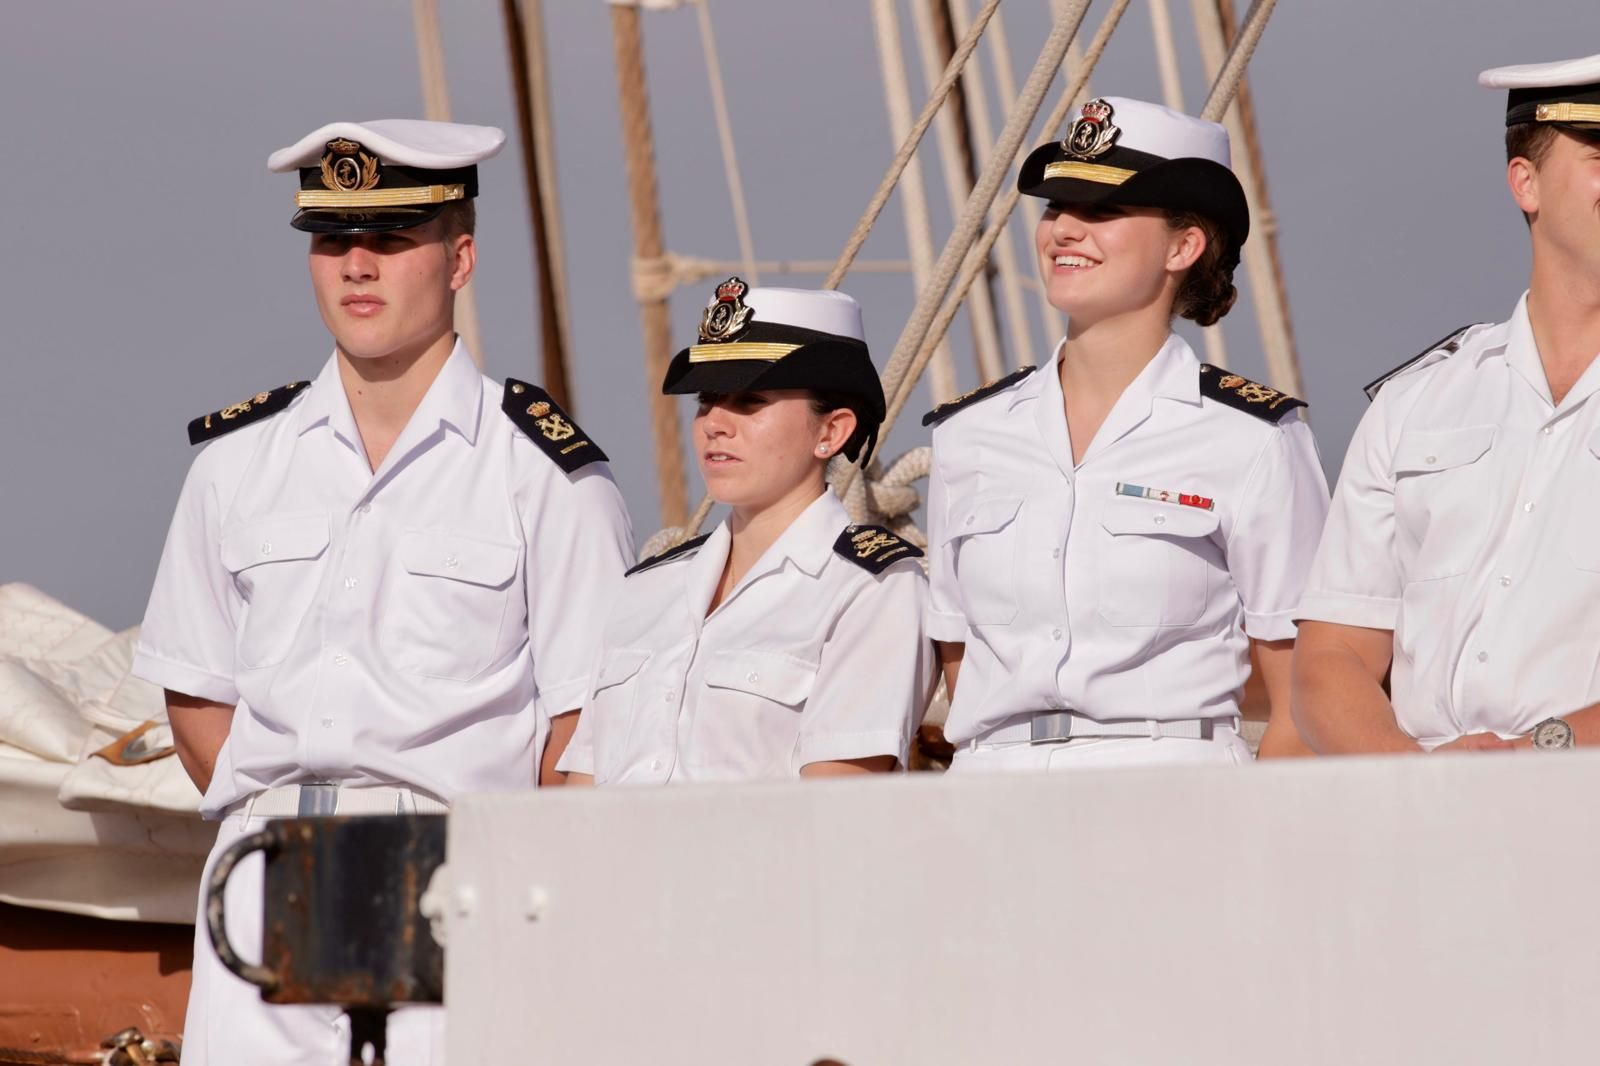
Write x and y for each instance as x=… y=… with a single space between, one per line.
x=810 y=659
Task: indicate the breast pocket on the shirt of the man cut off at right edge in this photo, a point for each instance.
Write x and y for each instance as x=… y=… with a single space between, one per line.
x=1444 y=489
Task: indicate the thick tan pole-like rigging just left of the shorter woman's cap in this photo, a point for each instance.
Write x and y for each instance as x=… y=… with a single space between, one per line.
x=639 y=154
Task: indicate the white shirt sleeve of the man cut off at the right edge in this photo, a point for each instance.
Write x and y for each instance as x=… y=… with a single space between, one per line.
x=1356 y=579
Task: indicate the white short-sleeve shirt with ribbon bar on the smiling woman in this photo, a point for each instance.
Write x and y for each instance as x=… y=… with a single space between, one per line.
x=1074 y=595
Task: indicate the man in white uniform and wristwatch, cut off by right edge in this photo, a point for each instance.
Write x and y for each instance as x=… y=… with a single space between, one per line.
x=1462 y=551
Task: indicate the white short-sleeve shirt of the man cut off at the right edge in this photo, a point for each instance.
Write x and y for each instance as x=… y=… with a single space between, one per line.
x=1465 y=523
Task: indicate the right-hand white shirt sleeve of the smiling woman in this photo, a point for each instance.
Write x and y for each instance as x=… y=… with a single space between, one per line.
x=1274 y=539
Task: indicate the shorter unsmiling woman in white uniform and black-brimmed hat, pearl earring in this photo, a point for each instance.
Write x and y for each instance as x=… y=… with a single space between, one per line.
x=788 y=643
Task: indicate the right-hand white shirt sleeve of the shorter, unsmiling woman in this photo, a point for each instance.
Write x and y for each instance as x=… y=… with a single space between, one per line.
x=876 y=675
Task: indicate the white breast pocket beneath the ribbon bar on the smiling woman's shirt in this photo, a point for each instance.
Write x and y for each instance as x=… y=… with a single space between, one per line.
x=1154 y=563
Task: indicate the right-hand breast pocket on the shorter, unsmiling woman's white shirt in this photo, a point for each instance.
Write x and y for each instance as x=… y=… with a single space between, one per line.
x=751 y=710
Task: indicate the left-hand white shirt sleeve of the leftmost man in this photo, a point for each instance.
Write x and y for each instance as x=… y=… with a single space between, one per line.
x=188 y=638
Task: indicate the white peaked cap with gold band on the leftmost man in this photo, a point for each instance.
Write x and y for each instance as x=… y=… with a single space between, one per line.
x=383 y=175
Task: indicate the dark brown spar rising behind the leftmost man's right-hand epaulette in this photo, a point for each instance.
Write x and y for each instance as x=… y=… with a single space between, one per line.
x=526 y=41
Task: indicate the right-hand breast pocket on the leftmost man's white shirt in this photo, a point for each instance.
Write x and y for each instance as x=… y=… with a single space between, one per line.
x=449 y=611
